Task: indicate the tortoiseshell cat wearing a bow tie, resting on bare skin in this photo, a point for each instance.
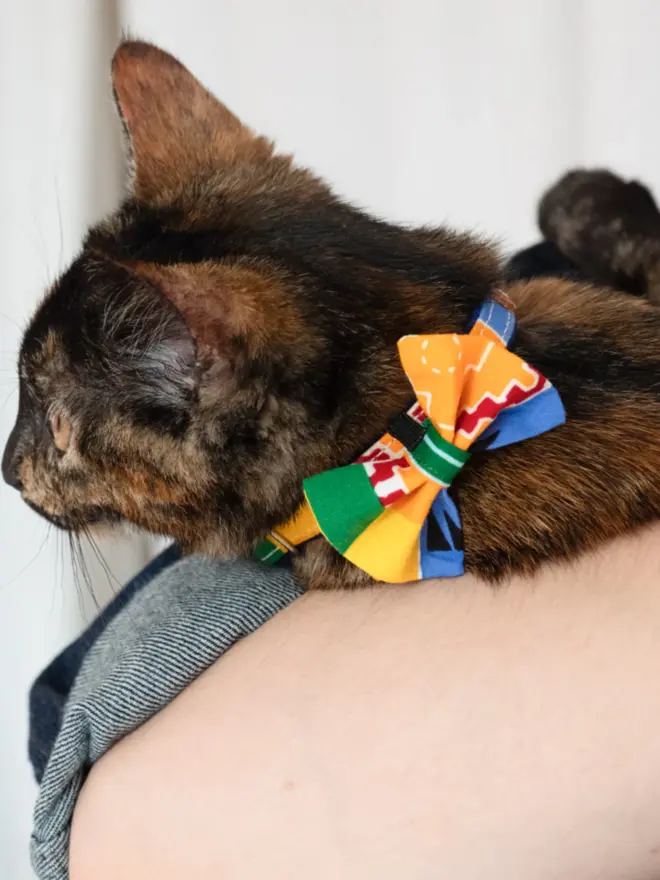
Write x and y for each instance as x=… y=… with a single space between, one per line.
x=232 y=329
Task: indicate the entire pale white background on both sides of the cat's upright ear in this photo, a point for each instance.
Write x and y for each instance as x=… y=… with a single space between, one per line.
x=422 y=110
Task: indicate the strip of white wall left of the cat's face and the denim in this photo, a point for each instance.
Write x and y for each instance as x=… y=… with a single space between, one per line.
x=59 y=168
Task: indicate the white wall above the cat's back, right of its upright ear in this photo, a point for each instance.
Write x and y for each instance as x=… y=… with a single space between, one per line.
x=432 y=110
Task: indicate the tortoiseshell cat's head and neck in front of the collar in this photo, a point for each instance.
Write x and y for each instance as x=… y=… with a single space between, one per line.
x=230 y=330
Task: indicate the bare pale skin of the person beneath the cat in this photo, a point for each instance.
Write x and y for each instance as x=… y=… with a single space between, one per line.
x=442 y=730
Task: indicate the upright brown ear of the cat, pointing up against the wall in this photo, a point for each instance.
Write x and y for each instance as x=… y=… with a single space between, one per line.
x=176 y=129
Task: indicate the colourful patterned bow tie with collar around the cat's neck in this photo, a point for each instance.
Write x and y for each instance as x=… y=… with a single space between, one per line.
x=391 y=512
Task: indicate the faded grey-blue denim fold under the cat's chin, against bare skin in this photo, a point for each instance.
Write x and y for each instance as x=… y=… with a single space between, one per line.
x=161 y=640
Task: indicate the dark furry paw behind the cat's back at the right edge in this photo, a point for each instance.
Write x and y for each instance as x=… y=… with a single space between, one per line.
x=604 y=224
